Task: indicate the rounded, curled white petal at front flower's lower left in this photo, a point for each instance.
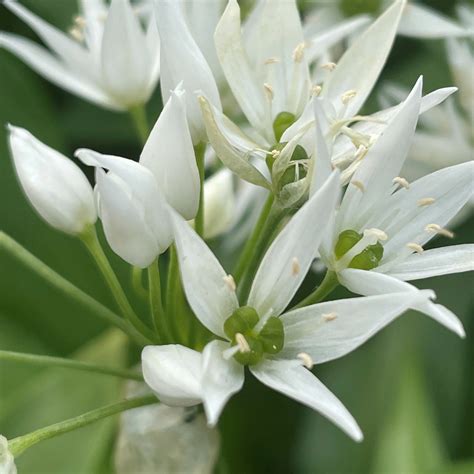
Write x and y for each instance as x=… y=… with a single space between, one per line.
x=173 y=372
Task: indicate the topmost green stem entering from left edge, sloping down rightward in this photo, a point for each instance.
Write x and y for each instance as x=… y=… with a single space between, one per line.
x=60 y=283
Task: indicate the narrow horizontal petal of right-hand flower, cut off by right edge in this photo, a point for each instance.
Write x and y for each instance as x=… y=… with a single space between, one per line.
x=440 y=261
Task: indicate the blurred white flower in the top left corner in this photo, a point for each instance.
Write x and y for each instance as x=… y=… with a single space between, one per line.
x=108 y=58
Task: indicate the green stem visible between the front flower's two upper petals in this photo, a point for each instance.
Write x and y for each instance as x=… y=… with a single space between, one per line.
x=264 y=236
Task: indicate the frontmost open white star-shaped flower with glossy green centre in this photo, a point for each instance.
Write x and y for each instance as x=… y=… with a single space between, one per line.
x=290 y=341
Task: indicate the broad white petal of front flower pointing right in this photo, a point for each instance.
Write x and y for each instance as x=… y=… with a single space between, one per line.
x=330 y=330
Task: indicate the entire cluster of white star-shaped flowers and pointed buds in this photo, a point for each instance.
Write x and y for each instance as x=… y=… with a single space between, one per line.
x=305 y=176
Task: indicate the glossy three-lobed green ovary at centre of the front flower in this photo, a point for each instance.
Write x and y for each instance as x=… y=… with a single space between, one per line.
x=269 y=340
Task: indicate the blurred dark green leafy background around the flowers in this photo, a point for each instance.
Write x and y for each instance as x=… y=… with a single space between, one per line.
x=411 y=388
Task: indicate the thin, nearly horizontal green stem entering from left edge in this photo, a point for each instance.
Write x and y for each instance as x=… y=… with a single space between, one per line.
x=49 y=361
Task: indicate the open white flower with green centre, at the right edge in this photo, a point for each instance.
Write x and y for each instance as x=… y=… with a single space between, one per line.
x=384 y=221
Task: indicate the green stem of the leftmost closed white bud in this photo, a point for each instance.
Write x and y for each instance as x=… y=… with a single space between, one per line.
x=91 y=241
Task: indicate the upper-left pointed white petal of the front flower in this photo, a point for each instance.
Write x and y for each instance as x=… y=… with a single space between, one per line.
x=204 y=279
